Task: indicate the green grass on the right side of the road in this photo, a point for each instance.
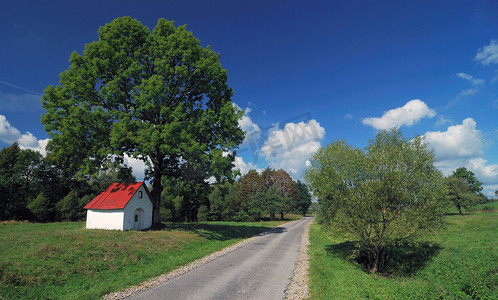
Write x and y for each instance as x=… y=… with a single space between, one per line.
x=460 y=262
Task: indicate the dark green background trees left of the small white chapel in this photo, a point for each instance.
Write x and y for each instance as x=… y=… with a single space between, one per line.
x=36 y=188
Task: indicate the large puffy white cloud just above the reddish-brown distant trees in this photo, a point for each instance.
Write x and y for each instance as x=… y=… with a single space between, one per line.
x=291 y=147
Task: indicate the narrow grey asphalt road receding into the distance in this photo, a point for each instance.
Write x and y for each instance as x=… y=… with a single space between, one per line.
x=259 y=270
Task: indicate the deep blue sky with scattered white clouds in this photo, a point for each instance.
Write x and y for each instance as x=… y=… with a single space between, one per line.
x=305 y=72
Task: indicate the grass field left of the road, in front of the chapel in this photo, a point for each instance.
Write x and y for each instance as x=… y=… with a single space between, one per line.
x=67 y=261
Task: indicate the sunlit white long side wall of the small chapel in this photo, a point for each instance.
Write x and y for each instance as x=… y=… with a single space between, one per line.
x=104 y=219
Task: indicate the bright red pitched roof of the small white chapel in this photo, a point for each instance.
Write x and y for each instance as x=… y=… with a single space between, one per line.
x=116 y=196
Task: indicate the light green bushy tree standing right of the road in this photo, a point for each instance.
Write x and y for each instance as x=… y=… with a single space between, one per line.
x=384 y=194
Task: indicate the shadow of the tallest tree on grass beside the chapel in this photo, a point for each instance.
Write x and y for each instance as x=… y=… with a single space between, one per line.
x=220 y=232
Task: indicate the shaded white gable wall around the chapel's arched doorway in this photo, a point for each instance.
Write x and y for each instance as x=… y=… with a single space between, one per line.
x=135 y=202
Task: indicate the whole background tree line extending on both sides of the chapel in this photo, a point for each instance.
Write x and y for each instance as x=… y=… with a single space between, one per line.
x=37 y=189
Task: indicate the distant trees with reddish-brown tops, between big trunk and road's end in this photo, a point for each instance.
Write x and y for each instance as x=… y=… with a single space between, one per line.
x=255 y=196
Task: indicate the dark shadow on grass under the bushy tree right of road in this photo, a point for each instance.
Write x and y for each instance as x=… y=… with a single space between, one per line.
x=403 y=260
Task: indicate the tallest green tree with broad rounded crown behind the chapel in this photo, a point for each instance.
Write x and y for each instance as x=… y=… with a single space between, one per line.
x=157 y=96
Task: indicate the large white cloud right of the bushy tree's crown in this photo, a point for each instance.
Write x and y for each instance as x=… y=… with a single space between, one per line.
x=459 y=141
